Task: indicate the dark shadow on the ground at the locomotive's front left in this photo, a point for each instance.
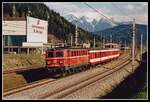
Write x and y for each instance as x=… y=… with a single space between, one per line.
x=36 y=75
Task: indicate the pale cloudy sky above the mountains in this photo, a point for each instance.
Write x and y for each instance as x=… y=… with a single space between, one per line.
x=119 y=11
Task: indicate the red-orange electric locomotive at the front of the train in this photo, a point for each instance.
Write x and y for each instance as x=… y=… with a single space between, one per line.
x=66 y=60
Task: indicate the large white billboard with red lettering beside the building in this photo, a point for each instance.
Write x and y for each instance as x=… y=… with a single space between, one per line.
x=36 y=30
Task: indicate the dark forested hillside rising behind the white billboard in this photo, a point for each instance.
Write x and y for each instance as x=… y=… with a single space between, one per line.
x=58 y=26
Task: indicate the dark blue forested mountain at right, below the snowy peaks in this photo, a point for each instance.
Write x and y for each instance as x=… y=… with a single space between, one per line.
x=123 y=32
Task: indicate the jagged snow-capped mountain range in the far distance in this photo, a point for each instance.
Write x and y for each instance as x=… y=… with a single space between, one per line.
x=88 y=24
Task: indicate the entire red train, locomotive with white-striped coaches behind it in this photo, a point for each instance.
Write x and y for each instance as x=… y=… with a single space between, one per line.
x=64 y=61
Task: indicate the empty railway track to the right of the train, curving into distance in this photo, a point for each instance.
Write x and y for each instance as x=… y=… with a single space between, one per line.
x=77 y=86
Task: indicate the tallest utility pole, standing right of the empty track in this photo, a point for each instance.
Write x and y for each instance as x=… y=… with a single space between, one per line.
x=133 y=45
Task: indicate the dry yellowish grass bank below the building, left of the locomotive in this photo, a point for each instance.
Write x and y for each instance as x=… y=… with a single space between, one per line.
x=22 y=60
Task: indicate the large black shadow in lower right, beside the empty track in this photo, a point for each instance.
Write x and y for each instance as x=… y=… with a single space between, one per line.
x=132 y=84
